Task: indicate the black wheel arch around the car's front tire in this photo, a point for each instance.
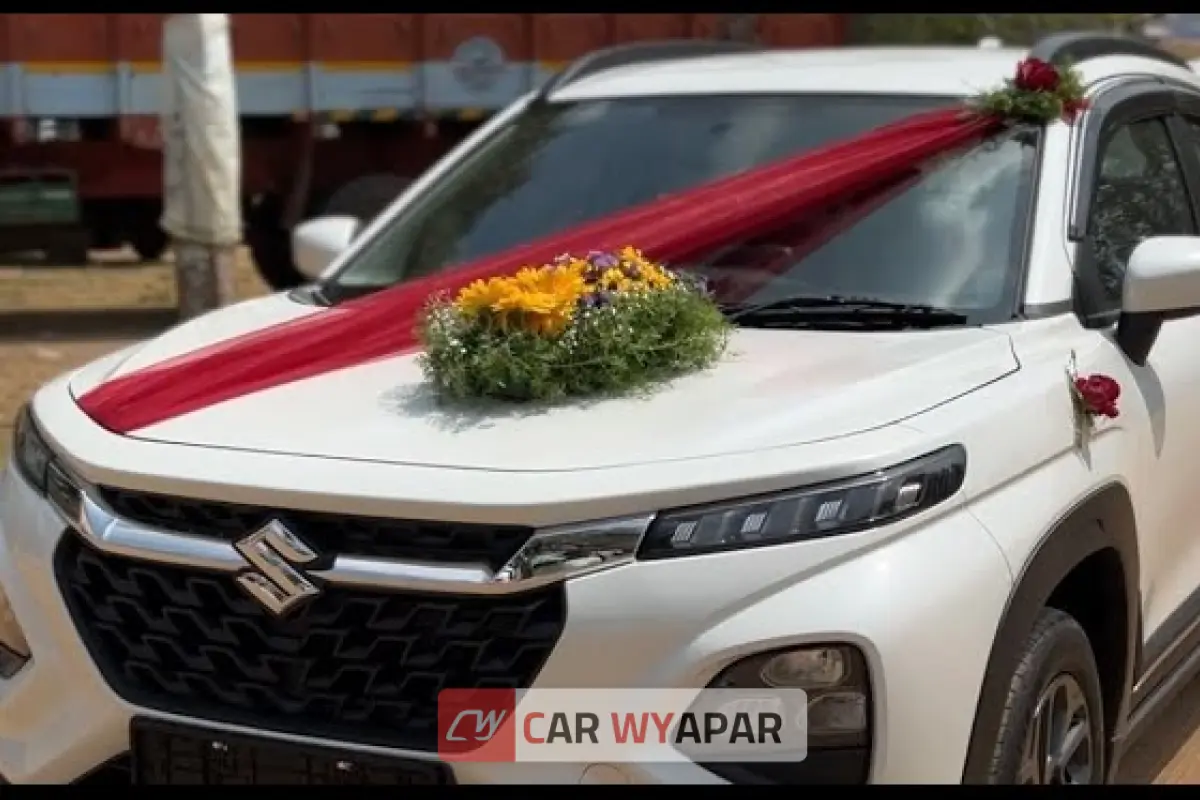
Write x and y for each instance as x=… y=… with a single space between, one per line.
x=1100 y=533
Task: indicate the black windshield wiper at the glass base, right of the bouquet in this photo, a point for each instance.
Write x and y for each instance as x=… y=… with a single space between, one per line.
x=806 y=311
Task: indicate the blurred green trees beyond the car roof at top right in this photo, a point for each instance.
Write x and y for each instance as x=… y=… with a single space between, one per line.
x=969 y=29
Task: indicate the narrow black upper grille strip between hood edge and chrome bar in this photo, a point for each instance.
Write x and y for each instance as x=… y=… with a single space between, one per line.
x=328 y=533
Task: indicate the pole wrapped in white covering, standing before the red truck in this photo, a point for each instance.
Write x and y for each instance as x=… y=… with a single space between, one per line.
x=202 y=159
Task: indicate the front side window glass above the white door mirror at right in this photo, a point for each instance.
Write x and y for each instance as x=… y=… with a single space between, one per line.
x=1139 y=194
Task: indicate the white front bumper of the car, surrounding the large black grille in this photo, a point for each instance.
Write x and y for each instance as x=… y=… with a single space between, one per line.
x=922 y=605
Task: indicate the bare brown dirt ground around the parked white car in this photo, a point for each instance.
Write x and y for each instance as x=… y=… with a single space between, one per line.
x=53 y=320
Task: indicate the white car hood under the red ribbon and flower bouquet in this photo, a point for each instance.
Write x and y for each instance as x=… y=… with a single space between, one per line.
x=772 y=389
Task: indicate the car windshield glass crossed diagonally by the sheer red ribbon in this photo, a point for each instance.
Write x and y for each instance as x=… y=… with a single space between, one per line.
x=950 y=236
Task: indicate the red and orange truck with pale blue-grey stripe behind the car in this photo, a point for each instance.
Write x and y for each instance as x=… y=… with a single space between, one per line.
x=339 y=112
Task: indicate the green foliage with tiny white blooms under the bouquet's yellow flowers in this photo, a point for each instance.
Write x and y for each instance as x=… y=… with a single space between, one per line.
x=627 y=345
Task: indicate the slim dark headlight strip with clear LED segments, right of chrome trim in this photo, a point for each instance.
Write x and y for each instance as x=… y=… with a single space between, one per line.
x=811 y=513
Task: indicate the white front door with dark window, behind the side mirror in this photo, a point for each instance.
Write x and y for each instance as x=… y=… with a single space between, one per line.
x=1144 y=183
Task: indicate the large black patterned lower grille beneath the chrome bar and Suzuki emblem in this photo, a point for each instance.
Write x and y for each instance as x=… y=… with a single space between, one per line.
x=356 y=665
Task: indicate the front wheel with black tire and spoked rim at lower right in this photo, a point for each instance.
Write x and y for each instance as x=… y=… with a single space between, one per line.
x=1057 y=681
